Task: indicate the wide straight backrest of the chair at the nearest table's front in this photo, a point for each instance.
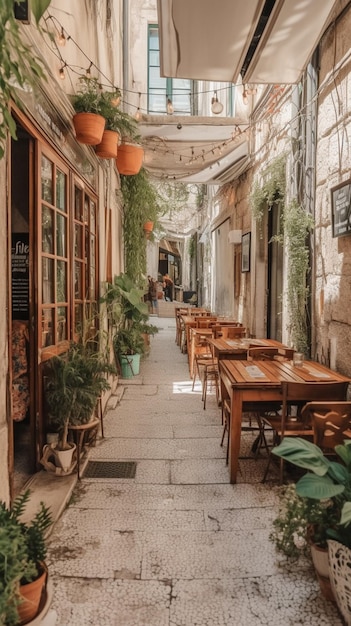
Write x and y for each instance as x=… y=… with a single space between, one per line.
x=298 y=394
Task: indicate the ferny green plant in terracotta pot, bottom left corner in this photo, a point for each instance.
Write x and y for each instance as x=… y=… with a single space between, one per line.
x=23 y=572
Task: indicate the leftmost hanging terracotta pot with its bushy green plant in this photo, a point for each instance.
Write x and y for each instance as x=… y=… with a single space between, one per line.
x=89 y=123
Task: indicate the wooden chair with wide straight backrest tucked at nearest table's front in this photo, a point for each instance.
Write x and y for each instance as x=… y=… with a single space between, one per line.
x=296 y=423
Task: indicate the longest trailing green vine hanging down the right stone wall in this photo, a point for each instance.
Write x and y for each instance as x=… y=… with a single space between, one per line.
x=297 y=224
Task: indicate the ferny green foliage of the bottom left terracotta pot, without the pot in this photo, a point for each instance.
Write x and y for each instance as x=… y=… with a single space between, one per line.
x=22 y=550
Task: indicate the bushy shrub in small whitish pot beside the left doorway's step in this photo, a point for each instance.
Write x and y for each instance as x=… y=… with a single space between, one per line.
x=75 y=381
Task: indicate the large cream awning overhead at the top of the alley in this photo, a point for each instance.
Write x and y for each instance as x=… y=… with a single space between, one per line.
x=223 y=40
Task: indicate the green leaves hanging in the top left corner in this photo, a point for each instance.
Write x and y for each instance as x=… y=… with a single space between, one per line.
x=18 y=65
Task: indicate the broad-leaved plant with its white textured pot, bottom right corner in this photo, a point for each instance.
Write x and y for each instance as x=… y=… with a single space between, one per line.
x=329 y=483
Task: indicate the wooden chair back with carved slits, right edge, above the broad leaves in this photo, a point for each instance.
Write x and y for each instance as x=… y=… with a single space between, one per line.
x=331 y=423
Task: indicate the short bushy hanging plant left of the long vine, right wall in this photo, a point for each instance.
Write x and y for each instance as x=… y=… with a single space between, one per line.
x=272 y=191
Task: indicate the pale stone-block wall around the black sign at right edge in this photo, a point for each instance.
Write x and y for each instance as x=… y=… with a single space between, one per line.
x=332 y=280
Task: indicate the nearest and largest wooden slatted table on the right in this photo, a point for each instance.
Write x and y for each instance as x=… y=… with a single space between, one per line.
x=260 y=381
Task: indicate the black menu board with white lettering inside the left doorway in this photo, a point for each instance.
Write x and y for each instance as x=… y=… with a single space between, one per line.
x=20 y=276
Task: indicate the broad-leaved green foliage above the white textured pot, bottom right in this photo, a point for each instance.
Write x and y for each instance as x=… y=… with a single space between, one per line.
x=325 y=481
